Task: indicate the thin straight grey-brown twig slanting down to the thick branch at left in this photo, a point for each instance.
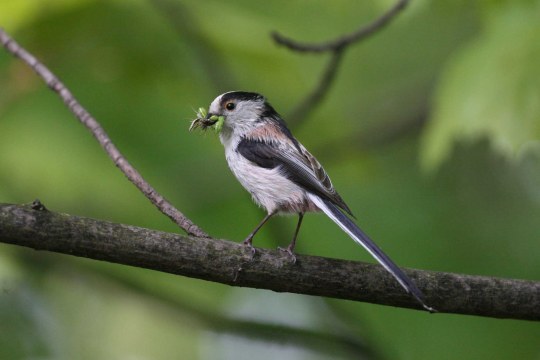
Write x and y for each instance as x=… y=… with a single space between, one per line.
x=101 y=136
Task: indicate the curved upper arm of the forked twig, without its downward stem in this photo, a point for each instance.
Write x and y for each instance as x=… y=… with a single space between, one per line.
x=344 y=40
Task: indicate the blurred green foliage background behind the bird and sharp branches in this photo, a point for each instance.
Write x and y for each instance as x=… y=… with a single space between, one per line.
x=430 y=132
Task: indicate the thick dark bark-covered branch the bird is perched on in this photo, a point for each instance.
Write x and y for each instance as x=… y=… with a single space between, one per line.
x=228 y=263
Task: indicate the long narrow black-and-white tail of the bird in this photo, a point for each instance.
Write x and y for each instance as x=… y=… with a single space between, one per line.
x=347 y=225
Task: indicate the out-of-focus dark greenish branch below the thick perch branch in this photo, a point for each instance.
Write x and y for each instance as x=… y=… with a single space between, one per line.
x=320 y=340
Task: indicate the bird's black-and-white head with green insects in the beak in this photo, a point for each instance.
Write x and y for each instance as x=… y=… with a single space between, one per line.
x=235 y=111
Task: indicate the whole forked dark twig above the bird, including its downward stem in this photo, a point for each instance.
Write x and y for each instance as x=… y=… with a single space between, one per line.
x=337 y=47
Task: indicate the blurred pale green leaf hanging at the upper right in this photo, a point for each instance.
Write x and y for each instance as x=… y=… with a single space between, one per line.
x=491 y=89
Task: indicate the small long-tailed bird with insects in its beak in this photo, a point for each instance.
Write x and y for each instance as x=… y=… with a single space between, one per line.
x=281 y=175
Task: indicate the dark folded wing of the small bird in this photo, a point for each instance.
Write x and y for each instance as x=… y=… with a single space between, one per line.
x=296 y=163
